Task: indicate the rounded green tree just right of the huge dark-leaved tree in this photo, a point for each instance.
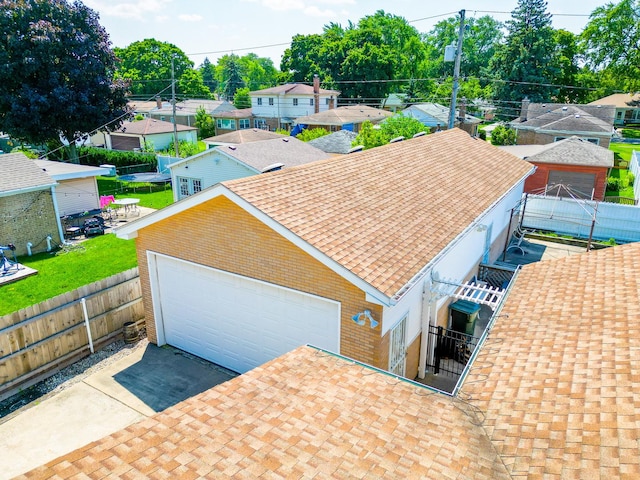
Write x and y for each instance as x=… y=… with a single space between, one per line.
x=146 y=65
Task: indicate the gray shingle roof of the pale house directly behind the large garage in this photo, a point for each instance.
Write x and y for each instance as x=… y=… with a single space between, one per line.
x=288 y=151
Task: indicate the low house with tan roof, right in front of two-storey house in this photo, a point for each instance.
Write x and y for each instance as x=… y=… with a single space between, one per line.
x=350 y=117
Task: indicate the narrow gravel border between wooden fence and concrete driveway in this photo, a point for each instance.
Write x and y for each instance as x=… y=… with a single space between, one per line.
x=69 y=376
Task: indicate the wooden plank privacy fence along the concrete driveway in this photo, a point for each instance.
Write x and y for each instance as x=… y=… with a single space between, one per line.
x=37 y=341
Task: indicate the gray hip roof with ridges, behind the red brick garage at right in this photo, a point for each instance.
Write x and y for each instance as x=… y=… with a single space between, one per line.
x=568 y=118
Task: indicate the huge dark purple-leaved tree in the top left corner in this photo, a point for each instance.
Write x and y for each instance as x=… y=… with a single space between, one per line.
x=57 y=75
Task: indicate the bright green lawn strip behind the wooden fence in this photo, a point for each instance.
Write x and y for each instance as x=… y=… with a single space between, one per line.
x=60 y=272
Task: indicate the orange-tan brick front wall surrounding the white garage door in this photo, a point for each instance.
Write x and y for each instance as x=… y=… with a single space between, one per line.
x=221 y=235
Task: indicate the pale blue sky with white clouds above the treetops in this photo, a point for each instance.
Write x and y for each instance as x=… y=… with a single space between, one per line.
x=213 y=28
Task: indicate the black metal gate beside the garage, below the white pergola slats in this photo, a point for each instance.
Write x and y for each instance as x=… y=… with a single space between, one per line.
x=451 y=351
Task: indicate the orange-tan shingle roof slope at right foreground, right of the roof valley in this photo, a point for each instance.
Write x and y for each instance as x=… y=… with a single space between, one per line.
x=558 y=381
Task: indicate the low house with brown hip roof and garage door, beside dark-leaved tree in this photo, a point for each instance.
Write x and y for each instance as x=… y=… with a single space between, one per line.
x=135 y=136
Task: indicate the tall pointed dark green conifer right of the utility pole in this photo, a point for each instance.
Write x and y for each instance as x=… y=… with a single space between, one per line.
x=524 y=64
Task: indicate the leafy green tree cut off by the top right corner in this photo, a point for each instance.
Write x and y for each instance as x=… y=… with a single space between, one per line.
x=611 y=42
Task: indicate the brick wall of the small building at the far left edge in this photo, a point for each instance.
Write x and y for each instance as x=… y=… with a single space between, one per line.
x=28 y=217
